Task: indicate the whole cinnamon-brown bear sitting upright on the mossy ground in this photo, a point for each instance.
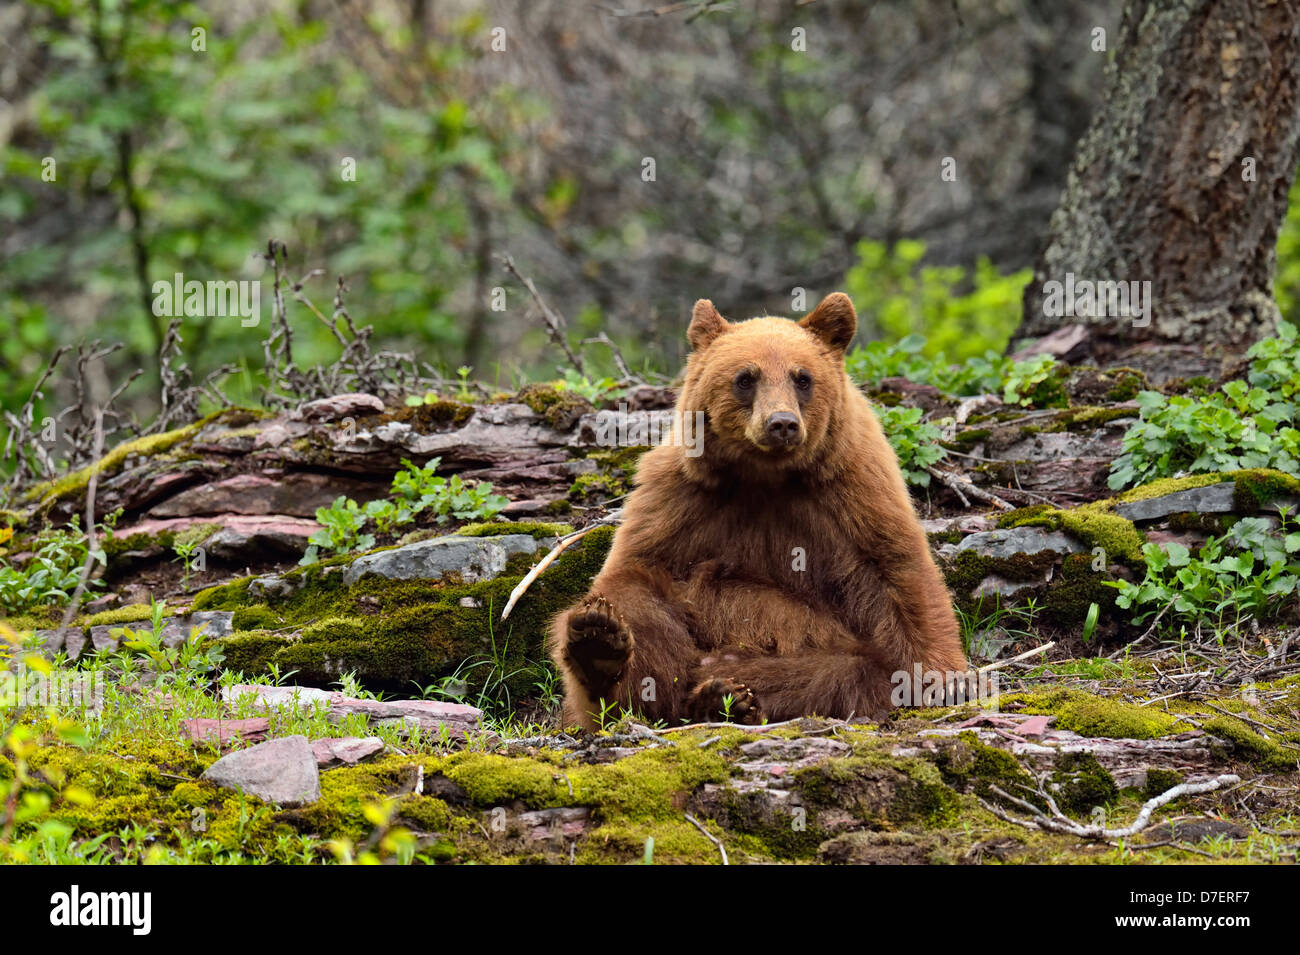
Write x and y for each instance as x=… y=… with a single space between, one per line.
x=773 y=568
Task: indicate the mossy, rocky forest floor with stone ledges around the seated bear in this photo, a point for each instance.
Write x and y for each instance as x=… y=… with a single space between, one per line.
x=385 y=713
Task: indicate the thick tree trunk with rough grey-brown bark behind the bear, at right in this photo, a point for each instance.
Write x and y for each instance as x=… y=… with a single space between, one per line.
x=1182 y=180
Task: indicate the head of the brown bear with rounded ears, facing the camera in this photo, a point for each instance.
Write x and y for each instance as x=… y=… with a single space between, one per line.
x=770 y=389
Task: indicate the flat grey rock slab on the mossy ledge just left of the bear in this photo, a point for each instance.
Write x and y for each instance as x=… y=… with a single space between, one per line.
x=473 y=558
